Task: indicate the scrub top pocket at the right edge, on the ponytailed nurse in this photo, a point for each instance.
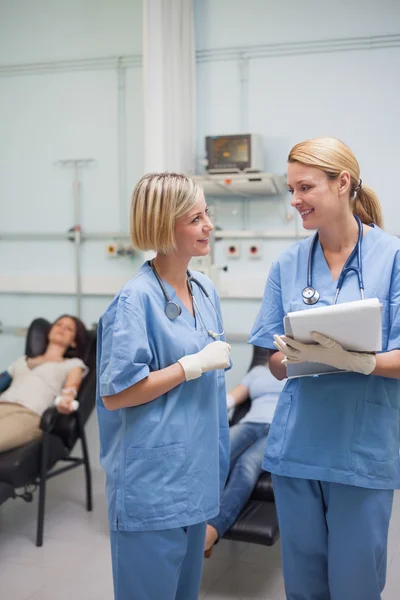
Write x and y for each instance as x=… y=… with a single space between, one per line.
x=375 y=448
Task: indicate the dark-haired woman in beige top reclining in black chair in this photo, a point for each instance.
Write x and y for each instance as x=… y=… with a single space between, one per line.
x=31 y=385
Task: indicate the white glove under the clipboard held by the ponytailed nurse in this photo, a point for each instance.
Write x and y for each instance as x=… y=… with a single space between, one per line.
x=326 y=352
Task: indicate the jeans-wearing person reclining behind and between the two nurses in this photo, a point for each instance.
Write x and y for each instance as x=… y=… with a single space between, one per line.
x=248 y=439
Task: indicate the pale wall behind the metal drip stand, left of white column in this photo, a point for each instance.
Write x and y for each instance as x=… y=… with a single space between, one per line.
x=63 y=103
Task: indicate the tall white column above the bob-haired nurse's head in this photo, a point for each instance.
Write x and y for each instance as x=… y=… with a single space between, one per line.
x=169 y=63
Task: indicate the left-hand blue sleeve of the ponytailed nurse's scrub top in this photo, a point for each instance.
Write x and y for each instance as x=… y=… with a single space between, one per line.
x=270 y=318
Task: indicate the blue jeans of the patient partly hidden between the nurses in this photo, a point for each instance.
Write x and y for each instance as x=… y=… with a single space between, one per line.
x=247 y=450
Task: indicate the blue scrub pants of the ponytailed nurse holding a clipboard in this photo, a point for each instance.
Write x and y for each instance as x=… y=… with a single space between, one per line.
x=334 y=539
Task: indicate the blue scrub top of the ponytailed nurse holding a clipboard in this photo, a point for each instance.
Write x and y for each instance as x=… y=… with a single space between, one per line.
x=344 y=427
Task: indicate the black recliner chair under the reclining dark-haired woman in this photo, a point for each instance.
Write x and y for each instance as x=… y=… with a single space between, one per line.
x=34 y=463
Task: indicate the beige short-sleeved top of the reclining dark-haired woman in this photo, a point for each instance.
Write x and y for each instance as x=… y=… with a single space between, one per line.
x=37 y=388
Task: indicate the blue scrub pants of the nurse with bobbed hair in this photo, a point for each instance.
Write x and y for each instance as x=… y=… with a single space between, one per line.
x=158 y=565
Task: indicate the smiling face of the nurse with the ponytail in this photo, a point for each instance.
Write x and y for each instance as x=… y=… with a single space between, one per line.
x=318 y=199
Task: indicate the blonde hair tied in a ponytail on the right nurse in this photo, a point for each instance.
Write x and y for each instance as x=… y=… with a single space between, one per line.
x=333 y=156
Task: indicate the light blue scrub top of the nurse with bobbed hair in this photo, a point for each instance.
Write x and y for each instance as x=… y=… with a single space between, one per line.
x=167 y=460
